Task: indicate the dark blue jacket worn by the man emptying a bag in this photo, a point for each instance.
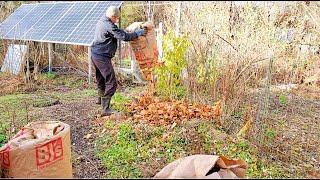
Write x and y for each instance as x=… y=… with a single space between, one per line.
x=105 y=38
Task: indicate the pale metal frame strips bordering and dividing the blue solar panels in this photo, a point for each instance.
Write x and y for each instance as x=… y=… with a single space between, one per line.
x=59 y=42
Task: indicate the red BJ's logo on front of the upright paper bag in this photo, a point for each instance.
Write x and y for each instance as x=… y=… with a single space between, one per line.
x=49 y=153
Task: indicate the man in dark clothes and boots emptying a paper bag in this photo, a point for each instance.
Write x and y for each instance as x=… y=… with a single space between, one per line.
x=103 y=50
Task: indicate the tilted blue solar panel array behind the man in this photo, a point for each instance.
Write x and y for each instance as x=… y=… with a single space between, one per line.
x=60 y=22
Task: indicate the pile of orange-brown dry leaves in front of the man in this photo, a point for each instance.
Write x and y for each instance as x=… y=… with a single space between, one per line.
x=155 y=111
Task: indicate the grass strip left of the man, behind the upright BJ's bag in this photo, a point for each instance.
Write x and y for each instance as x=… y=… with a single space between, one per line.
x=14 y=107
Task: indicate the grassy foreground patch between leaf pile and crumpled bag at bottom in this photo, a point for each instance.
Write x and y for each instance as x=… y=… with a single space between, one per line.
x=136 y=150
